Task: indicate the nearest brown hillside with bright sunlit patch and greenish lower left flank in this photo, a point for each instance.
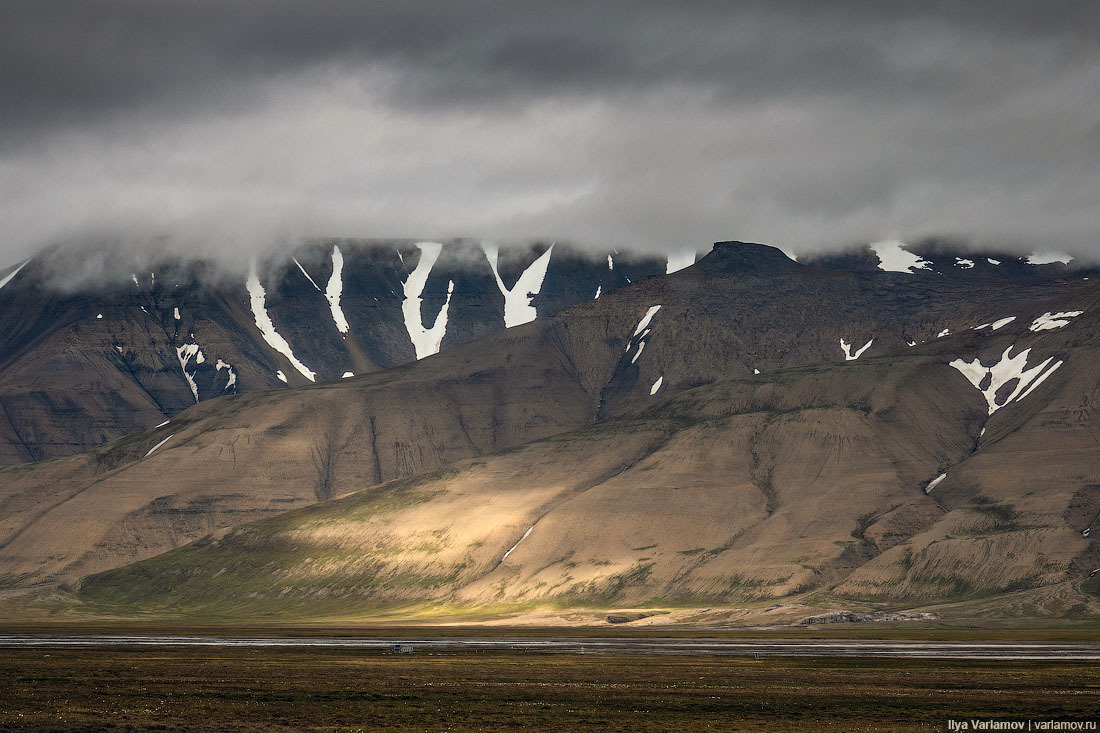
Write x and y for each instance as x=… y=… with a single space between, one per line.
x=806 y=480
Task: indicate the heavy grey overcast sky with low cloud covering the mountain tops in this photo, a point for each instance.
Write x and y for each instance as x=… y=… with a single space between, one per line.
x=226 y=126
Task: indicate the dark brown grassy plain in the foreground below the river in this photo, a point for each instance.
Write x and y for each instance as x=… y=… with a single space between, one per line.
x=340 y=690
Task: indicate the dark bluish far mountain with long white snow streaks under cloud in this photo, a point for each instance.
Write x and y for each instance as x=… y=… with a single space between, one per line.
x=93 y=348
